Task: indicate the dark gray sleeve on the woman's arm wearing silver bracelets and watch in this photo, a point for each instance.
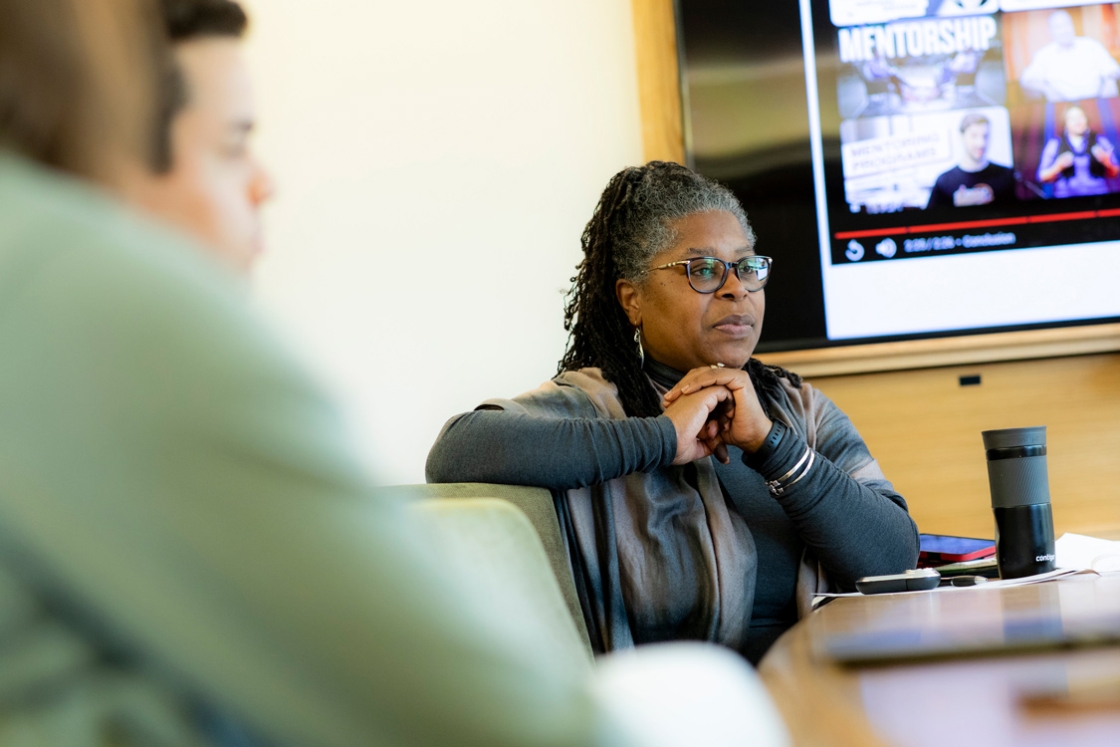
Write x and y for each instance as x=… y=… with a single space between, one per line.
x=844 y=508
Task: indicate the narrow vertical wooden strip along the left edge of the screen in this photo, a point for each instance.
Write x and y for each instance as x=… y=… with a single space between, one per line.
x=659 y=80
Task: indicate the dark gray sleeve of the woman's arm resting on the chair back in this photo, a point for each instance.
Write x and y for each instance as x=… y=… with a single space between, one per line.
x=518 y=449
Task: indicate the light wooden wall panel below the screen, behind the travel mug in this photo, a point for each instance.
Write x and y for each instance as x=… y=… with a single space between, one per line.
x=925 y=429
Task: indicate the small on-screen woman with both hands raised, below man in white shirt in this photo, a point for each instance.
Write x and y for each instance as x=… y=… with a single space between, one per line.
x=1080 y=163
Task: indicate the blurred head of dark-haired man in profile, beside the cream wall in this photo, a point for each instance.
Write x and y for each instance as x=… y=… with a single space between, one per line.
x=209 y=182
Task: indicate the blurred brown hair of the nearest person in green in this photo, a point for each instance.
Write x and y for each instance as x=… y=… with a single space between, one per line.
x=77 y=81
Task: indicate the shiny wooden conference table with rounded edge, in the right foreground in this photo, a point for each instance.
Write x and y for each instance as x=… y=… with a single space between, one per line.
x=967 y=687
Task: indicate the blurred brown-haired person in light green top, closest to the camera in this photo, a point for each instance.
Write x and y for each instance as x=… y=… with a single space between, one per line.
x=190 y=555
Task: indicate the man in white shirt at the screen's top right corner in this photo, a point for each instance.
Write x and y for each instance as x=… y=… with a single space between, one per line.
x=1071 y=68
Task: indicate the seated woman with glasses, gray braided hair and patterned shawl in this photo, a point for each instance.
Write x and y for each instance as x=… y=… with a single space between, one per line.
x=703 y=494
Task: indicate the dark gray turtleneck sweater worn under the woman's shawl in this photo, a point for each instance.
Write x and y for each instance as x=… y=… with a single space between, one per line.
x=855 y=529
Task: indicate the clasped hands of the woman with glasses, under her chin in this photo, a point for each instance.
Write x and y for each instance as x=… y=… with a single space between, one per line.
x=727 y=401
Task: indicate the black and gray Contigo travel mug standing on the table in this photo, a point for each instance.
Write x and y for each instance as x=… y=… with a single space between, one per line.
x=1021 y=500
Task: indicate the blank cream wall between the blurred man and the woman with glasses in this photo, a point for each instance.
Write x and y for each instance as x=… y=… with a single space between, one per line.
x=436 y=163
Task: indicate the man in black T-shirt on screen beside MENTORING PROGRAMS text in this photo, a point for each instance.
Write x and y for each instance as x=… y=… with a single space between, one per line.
x=975 y=181
